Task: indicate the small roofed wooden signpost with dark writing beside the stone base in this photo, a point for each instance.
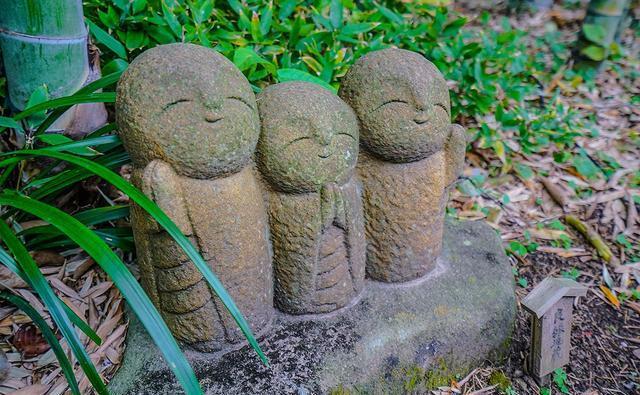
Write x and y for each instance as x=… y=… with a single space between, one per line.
x=551 y=306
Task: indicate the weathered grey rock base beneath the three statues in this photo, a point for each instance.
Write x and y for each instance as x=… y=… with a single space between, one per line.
x=455 y=317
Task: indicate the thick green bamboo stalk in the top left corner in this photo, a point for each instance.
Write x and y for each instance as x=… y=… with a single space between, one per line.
x=43 y=42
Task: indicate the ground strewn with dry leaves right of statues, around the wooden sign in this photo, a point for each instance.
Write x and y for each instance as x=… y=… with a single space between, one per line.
x=605 y=358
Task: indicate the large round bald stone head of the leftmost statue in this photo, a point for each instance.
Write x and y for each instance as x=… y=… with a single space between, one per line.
x=189 y=106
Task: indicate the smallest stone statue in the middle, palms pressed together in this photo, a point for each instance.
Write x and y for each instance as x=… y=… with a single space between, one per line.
x=307 y=154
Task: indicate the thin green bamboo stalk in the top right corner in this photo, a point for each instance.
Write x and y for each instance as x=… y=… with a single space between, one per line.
x=599 y=30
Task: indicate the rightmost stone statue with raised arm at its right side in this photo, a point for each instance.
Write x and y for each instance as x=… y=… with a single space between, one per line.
x=410 y=154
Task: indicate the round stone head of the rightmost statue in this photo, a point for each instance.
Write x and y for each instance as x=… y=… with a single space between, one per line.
x=402 y=102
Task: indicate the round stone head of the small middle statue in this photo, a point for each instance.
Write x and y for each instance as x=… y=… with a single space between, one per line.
x=309 y=137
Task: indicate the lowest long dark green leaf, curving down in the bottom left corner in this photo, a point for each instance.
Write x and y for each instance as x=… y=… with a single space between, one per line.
x=49 y=336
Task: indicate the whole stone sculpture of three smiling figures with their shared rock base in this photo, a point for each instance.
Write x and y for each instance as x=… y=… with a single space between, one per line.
x=294 y=233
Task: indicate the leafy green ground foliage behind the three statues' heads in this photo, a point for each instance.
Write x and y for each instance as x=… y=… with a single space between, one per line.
x=494 y=73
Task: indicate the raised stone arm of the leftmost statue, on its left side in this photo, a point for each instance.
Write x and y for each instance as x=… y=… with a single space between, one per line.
x=162 y=185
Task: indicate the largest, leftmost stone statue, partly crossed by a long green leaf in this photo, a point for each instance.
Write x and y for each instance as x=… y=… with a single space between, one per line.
x=189 y=120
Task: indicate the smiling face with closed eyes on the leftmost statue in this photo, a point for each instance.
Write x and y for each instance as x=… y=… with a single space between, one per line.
x=214 y=126
